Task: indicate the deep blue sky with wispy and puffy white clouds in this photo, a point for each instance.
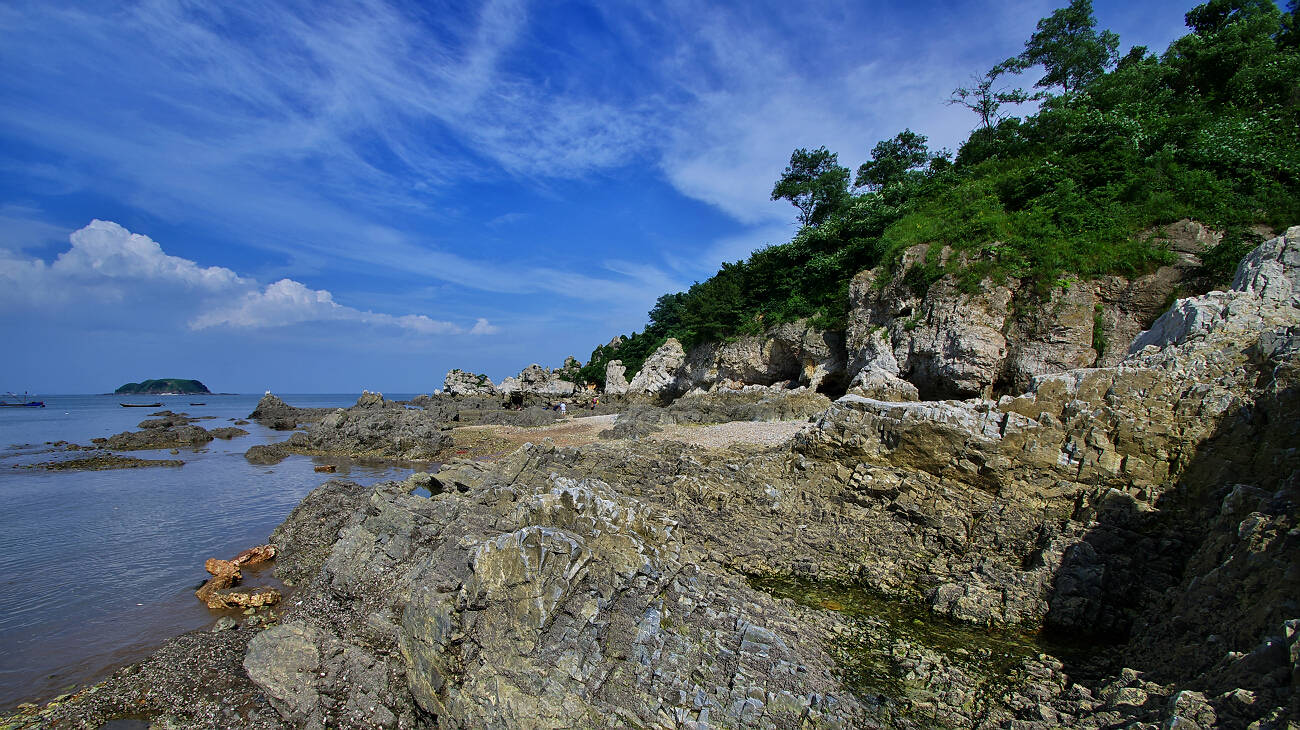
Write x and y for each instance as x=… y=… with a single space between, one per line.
x=330 y=197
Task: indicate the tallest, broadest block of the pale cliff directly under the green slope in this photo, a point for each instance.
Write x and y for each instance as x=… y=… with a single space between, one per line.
x=955 y=344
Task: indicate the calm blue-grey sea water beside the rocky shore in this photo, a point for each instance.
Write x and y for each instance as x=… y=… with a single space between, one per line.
x=99 y=568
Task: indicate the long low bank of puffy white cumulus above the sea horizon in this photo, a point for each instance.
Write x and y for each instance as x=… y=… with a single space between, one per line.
x=109 y=264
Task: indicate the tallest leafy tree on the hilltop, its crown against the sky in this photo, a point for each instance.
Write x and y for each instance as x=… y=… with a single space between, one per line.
x=1068 y=45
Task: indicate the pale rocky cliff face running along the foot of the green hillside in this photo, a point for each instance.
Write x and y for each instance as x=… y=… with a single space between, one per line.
x=942 y=342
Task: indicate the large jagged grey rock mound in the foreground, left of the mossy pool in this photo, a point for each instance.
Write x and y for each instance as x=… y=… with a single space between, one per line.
x=553 y=606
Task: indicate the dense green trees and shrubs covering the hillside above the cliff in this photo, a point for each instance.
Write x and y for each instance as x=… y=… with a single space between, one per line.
x=1210 y=131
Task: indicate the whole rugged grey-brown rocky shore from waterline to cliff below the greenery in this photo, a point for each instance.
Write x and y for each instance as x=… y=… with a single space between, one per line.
x=993 y=524
